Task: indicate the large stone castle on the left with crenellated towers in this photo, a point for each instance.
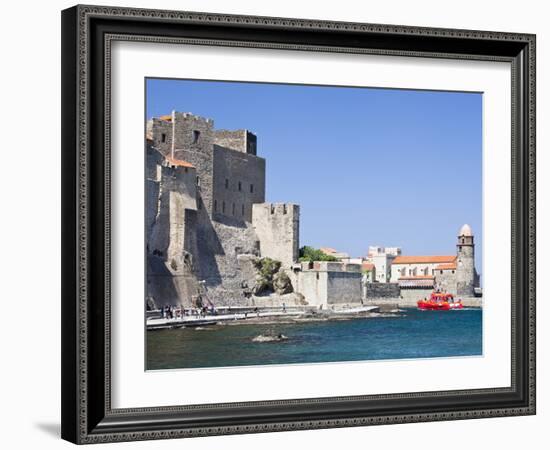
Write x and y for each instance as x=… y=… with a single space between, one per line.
x=207 y=220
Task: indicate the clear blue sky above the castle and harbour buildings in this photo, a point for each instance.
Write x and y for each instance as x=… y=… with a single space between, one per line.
x=367 y=166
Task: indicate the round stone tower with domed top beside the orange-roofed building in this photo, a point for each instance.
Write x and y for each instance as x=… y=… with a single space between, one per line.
x=465 y=266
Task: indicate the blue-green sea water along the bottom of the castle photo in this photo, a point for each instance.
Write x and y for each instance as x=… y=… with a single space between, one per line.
x=416 y=334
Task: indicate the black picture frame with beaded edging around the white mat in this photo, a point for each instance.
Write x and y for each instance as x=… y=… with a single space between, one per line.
x=87 y=32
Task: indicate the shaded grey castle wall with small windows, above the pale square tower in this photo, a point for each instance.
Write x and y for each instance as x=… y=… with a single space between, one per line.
x=238 y=183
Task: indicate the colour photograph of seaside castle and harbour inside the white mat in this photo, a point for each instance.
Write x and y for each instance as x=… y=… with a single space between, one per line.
x=302 y=224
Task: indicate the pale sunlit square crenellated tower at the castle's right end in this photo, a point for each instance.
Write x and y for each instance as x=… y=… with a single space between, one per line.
x=277 y=228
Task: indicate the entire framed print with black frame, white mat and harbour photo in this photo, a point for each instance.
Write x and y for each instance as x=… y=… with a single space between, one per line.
x=281 y=224
